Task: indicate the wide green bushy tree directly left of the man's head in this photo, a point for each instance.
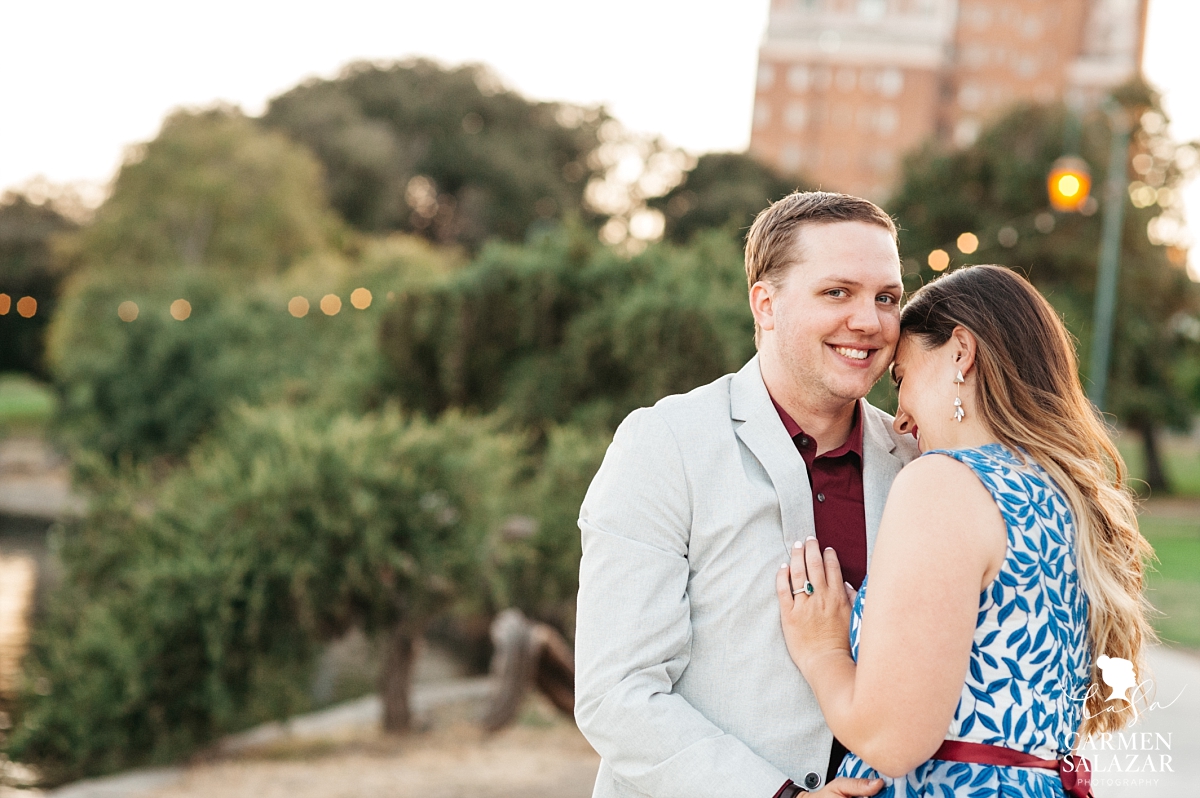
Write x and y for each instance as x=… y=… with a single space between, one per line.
x=565 y=331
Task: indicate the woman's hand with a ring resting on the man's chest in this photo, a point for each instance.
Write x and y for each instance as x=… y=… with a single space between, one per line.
x=814 y=605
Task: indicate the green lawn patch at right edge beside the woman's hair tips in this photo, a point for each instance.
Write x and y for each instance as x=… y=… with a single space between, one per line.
x=1174 y=583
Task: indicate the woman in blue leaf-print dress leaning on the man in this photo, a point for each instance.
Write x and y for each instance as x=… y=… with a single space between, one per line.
x=1007 y=561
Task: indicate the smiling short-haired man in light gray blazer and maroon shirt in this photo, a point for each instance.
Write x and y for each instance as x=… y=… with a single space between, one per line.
x=683 y=682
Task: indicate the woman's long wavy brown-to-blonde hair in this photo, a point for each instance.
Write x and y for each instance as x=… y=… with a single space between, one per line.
x=1030 y=398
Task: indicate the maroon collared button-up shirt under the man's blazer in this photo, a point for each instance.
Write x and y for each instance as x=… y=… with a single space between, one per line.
x=837 y=483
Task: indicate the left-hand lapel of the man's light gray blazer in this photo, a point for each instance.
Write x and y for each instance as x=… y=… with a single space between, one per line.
x=763 y=431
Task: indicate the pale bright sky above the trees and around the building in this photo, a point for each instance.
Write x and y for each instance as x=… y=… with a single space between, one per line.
x=85 y=80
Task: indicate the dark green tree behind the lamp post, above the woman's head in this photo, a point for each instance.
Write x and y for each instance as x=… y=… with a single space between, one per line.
x=995 y=190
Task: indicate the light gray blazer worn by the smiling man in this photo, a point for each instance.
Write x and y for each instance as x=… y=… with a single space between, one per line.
x=683 y=681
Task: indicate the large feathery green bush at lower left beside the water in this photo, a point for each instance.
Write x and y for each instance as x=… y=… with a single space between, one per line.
x=194 y=608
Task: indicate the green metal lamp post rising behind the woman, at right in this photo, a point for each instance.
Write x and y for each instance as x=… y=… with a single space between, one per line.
x=1111 y=254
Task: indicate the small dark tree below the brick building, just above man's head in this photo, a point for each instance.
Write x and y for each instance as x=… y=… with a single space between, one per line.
x=725 y=190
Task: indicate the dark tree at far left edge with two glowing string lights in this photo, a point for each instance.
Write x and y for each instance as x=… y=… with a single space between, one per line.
x=28 y=269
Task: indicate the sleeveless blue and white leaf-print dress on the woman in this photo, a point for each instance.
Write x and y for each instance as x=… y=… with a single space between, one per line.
x=1030 y=659
